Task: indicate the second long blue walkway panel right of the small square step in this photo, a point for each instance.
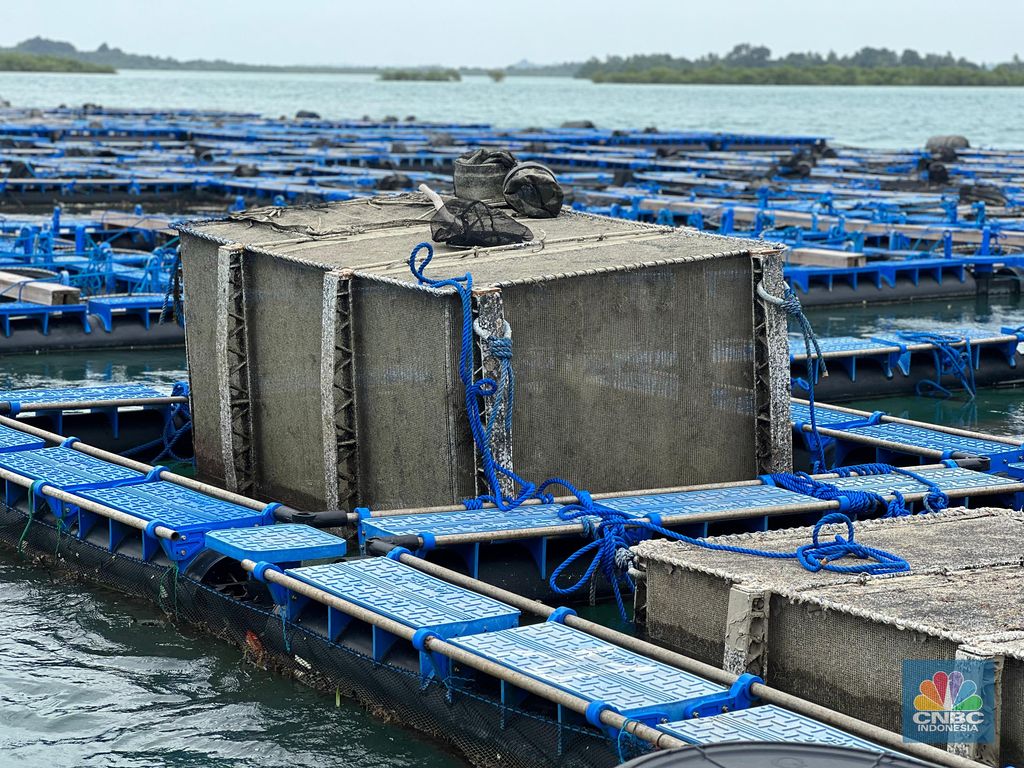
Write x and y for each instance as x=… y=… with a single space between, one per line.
x=605 y=675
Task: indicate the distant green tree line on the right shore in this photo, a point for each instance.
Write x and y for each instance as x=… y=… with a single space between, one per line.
x=754 y=65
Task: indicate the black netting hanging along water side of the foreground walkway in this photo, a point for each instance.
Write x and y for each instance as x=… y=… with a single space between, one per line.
x=461 y=712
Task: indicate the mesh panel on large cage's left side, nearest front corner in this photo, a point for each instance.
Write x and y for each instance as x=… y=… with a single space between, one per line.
x=411 y=408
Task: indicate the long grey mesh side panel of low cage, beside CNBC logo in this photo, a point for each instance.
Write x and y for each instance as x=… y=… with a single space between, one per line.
x=844 y=662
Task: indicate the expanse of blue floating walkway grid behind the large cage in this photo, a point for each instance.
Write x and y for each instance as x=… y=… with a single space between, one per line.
x=863 y=225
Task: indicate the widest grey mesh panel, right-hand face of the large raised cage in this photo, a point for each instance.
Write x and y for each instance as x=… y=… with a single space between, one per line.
x=636 y=379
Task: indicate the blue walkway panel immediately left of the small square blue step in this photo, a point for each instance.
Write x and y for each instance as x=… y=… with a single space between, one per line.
x=189 y=513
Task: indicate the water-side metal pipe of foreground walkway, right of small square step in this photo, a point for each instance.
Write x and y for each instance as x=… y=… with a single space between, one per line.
x=653 y=737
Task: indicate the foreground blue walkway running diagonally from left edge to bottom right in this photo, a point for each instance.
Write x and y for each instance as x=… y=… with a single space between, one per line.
x=466 y=664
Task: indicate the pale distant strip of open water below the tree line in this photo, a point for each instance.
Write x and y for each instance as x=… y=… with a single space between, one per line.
x=869 y=116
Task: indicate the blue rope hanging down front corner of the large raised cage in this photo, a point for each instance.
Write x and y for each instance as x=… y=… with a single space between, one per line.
x=478 y=392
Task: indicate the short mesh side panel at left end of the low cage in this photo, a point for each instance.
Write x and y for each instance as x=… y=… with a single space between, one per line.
x=690 y=615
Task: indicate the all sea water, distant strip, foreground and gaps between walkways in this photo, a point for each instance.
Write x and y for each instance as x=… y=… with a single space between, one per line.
x=91 y=678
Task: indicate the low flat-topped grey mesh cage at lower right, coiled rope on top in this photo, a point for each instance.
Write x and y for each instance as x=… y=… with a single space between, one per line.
x=840 y=641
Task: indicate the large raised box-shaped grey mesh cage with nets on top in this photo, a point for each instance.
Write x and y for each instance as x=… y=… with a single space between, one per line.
x=324 y=375
